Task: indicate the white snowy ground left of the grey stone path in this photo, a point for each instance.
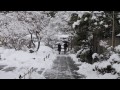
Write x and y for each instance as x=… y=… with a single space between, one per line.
x=14 y=63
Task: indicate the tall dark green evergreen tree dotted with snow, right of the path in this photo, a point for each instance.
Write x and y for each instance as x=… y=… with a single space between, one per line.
x=99 y=27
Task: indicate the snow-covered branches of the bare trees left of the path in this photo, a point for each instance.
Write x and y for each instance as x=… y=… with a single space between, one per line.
x=16 y=25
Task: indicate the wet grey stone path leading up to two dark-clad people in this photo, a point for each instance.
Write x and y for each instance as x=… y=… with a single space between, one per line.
x=63 y=68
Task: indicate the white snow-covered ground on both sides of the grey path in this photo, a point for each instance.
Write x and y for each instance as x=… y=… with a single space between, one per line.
x=14 y=63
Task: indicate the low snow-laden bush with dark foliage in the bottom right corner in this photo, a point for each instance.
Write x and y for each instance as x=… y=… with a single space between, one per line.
x=109 y=66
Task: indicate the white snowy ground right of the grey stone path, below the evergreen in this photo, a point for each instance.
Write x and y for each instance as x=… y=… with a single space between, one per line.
x=87 y=69
